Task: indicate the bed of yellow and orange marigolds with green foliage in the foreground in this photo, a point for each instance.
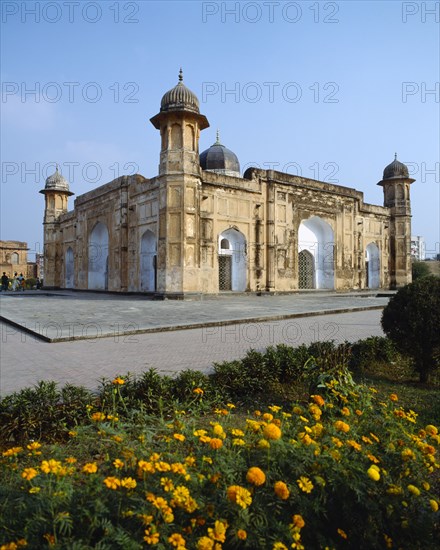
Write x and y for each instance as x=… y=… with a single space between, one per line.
x=356 y=472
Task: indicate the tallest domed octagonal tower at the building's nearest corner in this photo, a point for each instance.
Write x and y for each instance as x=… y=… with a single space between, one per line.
x=178 y=259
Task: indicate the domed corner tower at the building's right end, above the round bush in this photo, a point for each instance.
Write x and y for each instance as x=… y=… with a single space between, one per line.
x=396 y=188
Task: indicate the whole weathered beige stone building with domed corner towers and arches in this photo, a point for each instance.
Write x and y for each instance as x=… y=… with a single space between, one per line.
x=199 y=227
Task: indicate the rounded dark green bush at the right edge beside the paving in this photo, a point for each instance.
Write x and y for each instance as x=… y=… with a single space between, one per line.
x=412 y=321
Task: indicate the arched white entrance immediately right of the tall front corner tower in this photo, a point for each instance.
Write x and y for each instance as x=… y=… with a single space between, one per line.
x=232 y=260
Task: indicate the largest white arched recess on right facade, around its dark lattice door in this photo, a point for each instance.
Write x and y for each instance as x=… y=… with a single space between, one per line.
x=316 y=237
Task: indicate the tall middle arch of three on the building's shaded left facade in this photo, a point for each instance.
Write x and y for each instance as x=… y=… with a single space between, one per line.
x=98 y=258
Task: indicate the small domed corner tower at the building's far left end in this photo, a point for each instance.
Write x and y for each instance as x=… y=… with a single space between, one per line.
x=56 y=193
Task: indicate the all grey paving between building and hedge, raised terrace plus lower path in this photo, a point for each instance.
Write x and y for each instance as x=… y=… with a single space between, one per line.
x=26 y=359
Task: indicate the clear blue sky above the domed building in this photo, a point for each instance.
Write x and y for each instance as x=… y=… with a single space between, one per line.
x=331 y=89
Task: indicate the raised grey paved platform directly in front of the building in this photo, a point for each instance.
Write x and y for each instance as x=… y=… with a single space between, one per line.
x=65 y=316
